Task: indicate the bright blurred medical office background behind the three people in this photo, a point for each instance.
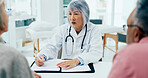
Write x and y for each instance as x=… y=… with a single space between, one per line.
x=32 y=23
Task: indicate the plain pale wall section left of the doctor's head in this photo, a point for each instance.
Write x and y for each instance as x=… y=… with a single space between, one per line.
x=51 y=11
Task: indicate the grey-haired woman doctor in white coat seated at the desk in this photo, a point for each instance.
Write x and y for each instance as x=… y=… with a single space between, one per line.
x=80 y=40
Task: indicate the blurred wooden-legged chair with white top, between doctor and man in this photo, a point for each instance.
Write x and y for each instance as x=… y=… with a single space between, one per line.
x=106 y=31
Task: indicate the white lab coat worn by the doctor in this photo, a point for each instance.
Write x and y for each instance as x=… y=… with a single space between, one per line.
x=92 y=48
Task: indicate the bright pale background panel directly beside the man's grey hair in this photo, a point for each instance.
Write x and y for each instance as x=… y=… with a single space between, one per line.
x=123 y=8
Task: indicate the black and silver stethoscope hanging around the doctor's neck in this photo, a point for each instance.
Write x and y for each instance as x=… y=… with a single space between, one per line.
x=69 y=36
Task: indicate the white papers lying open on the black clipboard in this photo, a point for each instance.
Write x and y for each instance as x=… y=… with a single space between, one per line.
x=51 y=65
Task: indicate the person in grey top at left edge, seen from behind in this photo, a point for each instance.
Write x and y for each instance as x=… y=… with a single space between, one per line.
x=12 y=63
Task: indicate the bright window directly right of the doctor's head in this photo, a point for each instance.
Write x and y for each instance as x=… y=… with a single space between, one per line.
x=100 y=9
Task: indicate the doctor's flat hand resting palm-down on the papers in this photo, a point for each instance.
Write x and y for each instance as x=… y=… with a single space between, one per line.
x=69 y=64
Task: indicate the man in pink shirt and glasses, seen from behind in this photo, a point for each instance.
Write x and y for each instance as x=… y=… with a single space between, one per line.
x=131 y=62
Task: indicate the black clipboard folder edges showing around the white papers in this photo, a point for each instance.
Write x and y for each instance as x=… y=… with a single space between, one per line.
x=90 y=65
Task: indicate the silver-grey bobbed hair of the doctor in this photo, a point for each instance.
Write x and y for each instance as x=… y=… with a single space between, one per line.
x=82 y=7
